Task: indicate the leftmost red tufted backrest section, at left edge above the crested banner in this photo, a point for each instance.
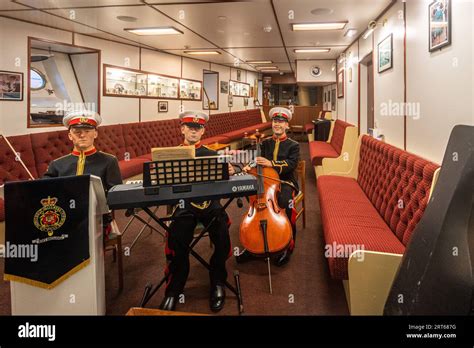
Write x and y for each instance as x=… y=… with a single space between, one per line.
x=10 y=168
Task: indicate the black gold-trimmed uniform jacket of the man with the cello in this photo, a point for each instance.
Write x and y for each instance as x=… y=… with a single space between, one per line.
x=284 y=154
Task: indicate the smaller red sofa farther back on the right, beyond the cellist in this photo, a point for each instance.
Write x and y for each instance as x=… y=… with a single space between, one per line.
x=332 y=149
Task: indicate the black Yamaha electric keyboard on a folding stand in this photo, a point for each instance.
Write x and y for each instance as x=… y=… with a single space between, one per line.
x=136 y=196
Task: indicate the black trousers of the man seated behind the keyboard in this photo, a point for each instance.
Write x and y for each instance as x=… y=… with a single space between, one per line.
x=181 y=235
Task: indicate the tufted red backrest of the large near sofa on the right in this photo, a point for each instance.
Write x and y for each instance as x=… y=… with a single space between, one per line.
x=397 y=183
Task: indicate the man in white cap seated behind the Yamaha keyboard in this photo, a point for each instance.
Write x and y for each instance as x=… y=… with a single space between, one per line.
x=182 y=230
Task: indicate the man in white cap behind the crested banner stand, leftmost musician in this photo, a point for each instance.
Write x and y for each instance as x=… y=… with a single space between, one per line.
x=84 y=158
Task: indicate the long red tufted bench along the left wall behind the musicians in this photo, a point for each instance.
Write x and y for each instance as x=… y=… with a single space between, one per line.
x=130 y=143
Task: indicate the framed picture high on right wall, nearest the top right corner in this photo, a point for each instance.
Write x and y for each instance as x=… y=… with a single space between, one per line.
x=439 y=24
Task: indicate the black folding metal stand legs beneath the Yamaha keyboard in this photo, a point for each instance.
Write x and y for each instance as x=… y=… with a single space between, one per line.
x=150 y=290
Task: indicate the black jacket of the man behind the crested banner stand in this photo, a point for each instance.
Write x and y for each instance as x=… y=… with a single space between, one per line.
x=96 y=163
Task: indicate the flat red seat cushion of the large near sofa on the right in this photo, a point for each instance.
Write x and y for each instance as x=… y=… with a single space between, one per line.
x=349 y=219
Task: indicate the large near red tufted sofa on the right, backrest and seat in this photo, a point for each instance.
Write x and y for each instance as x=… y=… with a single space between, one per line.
x=379 y=207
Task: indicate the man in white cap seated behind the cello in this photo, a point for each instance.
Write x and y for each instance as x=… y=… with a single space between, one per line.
x=282 y=154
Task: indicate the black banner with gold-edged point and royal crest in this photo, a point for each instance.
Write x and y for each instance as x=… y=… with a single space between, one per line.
x=46 y=229
